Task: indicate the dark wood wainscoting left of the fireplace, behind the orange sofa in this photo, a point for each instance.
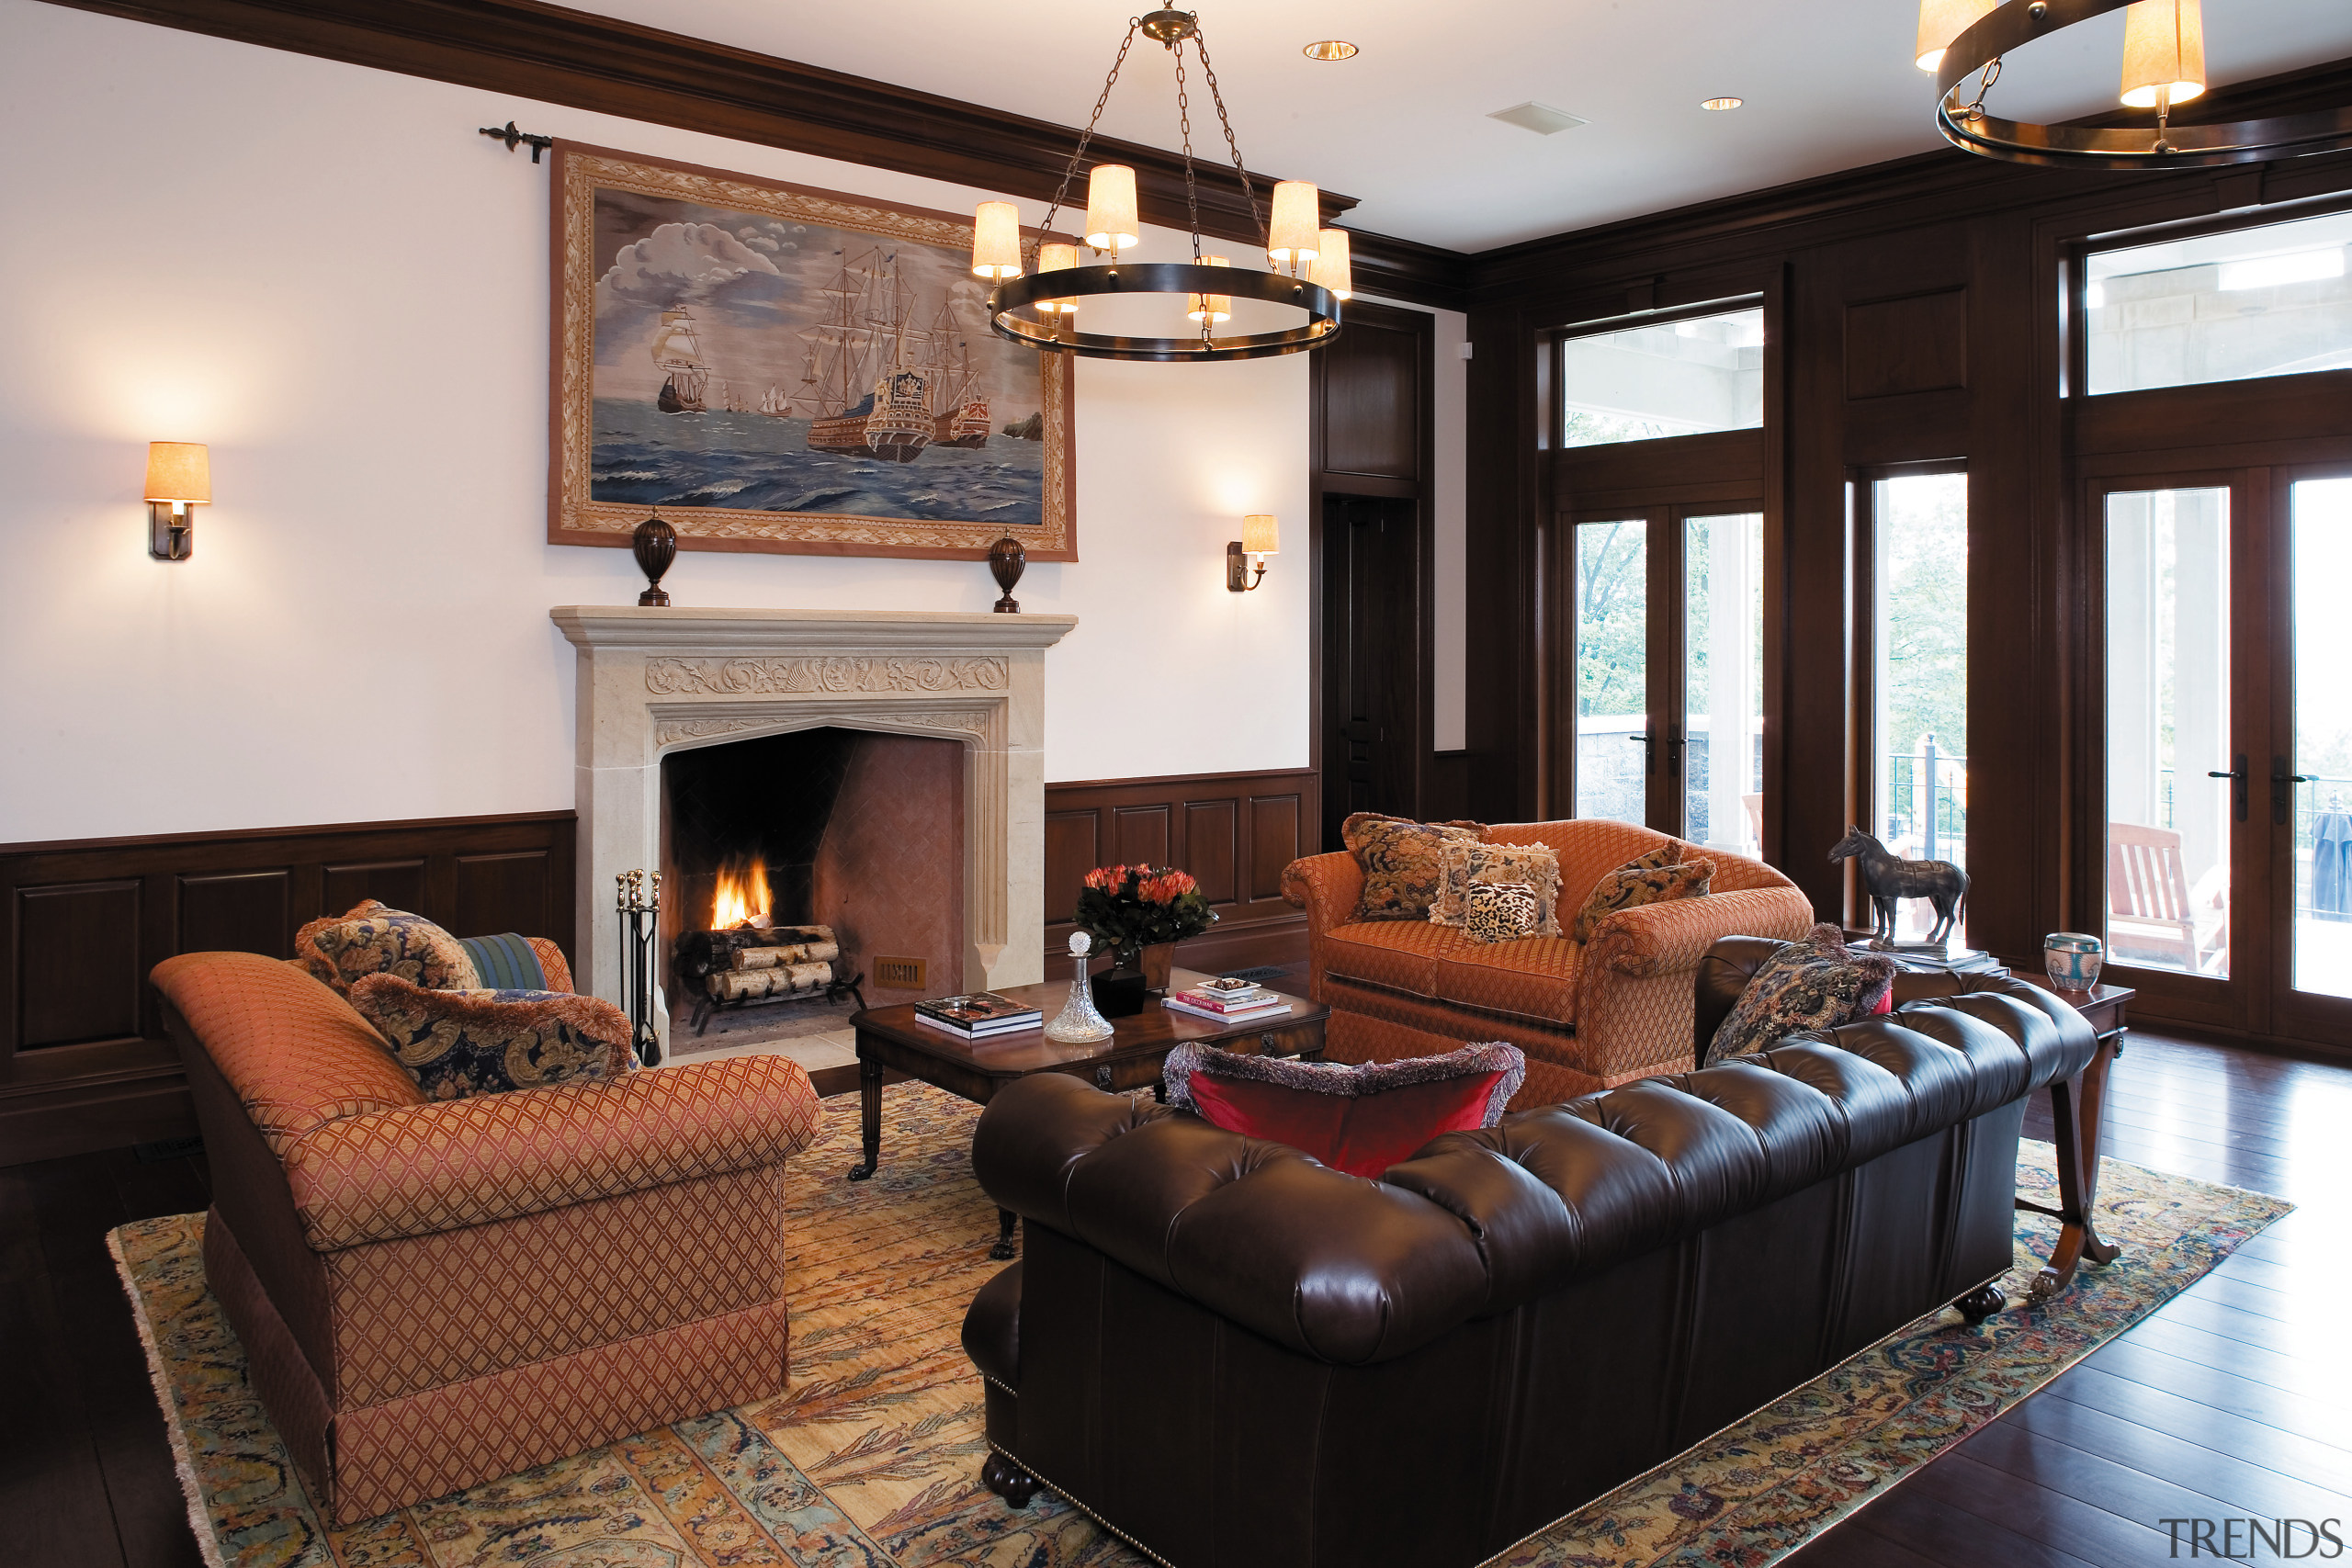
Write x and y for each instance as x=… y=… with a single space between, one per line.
x=83 y=1057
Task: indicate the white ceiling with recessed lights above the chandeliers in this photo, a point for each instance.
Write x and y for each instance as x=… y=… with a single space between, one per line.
x=1405 y=128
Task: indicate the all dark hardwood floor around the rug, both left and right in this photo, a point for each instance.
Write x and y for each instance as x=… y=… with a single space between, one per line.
x=2231 y=1402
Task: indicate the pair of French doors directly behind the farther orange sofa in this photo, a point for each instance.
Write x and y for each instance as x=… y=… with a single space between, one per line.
x=1657 y=683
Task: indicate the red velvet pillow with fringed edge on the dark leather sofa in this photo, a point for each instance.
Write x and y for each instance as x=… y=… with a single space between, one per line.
x=1354 y=1118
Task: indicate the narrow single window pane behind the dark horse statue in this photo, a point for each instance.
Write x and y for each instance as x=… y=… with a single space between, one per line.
x=1920 y=678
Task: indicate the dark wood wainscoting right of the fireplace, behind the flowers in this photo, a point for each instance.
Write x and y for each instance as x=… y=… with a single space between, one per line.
x=1231 y=831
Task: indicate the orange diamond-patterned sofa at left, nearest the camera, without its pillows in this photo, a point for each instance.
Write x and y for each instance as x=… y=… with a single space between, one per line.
x=441 y=1294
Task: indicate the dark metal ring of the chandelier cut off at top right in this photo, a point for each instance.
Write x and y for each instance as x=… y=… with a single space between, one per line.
x=2071 y=147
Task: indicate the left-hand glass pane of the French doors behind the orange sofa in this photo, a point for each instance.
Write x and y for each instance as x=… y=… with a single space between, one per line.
x=1612 y=669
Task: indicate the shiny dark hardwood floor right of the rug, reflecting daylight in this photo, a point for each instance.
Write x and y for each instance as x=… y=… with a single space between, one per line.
x=2229 y=1402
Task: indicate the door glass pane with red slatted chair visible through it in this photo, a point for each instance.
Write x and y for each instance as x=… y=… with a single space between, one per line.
x=2170 y=730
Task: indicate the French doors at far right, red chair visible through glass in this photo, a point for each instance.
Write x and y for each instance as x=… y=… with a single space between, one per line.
x=2226 y=744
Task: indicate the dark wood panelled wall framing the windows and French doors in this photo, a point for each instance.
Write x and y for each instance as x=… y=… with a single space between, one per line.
x=1918 y=323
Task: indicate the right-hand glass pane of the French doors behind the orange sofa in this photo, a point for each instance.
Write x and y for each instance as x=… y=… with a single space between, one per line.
x=1725 y=683
